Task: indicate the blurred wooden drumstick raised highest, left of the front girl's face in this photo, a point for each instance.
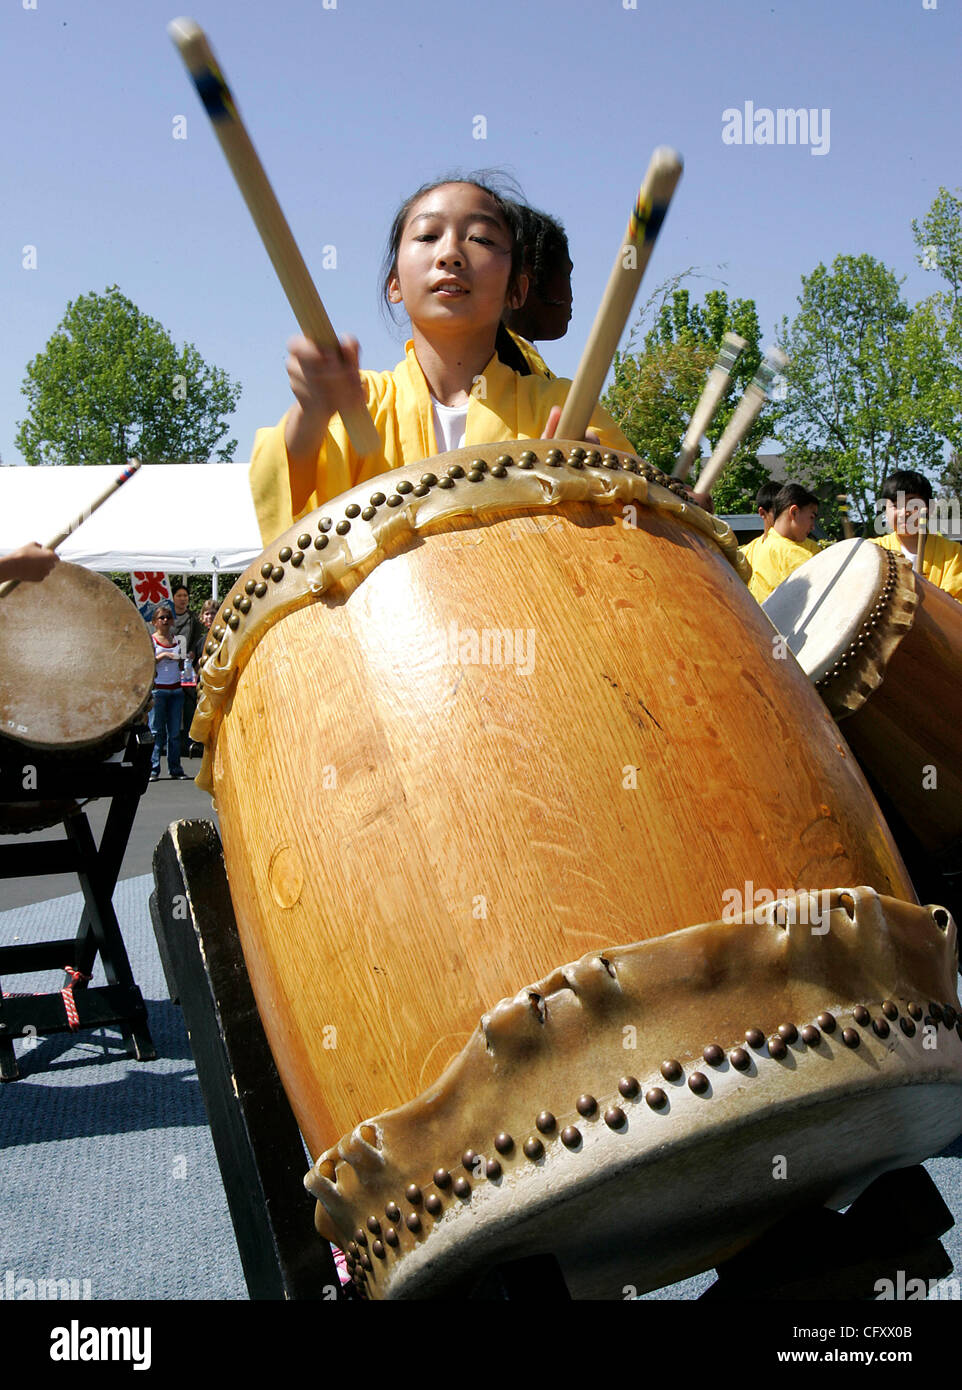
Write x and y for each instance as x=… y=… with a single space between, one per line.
x=266 y=211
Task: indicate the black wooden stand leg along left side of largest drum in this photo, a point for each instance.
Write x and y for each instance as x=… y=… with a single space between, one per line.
x=256 y=1139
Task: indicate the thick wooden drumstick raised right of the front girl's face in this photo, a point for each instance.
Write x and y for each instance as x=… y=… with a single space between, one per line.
x=644 y=226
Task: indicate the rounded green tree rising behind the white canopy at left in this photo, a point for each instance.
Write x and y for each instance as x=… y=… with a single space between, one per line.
x=112 y=386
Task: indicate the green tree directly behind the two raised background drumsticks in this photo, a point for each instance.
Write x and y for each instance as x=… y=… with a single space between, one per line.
x=655 y=391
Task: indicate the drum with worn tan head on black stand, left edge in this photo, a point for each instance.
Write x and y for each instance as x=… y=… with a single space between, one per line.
x=77 y=669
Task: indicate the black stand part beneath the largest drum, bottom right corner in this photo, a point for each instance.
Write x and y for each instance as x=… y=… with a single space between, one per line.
x=889 y=1234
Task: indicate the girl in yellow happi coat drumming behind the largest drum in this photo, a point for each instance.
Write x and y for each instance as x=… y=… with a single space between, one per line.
x=455 y=263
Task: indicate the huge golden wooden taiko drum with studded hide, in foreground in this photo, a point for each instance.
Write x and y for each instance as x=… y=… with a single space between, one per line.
x=516 y=708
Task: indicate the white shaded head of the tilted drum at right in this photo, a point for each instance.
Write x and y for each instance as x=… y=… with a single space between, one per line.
x=821 y=608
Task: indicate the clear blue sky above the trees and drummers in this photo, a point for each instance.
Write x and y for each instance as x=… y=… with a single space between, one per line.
x=352 y=108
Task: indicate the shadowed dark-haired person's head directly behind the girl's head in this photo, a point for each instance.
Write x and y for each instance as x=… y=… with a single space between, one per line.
x=547 y=311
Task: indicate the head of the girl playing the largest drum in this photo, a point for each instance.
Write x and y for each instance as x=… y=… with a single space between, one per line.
x=455 y=262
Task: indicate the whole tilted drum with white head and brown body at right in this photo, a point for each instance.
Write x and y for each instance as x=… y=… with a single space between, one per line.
x=885 y=648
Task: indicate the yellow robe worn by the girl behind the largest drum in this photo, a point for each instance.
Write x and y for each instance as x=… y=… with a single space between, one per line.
x=508 y=408
